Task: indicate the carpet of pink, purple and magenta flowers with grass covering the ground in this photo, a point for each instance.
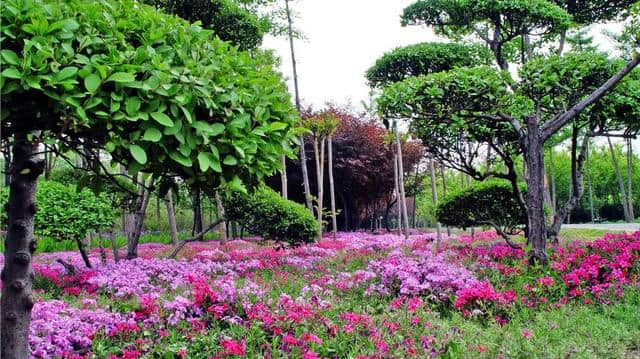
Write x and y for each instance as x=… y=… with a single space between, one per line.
x=361 y=295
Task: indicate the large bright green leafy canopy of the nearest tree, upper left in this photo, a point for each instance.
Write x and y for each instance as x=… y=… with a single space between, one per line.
x=160 y=95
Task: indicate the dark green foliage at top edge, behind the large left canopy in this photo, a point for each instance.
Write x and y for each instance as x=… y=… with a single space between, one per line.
x=227 y=19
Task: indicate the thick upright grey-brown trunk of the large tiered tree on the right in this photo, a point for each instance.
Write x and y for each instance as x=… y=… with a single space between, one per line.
x=534 y=158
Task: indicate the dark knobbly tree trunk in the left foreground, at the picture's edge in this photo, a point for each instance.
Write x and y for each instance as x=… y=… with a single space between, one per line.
x=17 y=274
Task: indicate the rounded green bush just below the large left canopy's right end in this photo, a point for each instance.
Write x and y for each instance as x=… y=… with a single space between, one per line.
x=266 y=213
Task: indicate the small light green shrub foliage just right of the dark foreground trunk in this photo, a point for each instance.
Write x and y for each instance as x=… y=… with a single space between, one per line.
x=66 y=214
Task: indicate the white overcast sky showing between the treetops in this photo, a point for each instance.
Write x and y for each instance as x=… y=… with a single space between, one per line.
x=343 y=39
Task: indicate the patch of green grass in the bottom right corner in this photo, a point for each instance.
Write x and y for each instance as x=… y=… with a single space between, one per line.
x=575 y=330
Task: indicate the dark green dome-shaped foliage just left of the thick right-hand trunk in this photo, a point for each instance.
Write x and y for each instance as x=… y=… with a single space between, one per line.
x=485 y=203
